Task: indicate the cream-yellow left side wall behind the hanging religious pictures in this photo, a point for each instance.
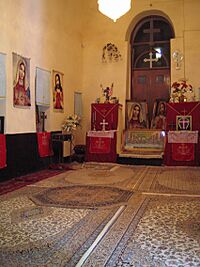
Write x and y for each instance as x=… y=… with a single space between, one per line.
x=49 y=33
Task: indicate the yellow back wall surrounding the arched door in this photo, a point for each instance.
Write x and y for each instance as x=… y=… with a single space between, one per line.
x=100 y=30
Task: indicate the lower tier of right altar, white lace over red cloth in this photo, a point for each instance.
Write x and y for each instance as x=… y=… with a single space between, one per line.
x=181 y=148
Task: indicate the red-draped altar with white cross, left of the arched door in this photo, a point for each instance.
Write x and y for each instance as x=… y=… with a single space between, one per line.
x=103 y=141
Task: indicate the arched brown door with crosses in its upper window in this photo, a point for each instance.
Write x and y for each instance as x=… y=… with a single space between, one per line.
x=150 y=60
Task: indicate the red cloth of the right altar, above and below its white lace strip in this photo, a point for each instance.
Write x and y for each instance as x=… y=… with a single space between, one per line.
x=170 y=156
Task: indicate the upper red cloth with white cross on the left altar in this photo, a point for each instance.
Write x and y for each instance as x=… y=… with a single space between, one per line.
x=107 y=112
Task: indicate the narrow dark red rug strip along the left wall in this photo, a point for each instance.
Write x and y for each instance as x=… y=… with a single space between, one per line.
x=28 y=179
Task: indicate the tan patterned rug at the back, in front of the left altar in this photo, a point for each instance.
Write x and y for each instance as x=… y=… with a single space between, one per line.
x=122 y=177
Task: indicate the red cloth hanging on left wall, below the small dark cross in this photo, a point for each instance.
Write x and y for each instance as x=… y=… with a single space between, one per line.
x=44 y=144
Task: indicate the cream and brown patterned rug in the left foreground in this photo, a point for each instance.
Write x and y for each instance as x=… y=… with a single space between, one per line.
x=46 y=236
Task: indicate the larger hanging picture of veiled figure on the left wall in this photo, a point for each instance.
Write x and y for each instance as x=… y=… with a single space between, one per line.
x=21 y=81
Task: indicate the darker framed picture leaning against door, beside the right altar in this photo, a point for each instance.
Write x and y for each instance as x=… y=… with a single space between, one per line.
x=159 y=115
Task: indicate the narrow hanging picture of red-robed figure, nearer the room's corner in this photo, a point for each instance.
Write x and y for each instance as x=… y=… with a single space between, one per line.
x=58 y=99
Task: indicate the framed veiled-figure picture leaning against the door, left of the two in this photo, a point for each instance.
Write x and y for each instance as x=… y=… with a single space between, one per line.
x=137 y=115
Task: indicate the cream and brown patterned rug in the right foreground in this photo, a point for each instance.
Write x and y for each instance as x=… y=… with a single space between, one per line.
x=164 y=232
